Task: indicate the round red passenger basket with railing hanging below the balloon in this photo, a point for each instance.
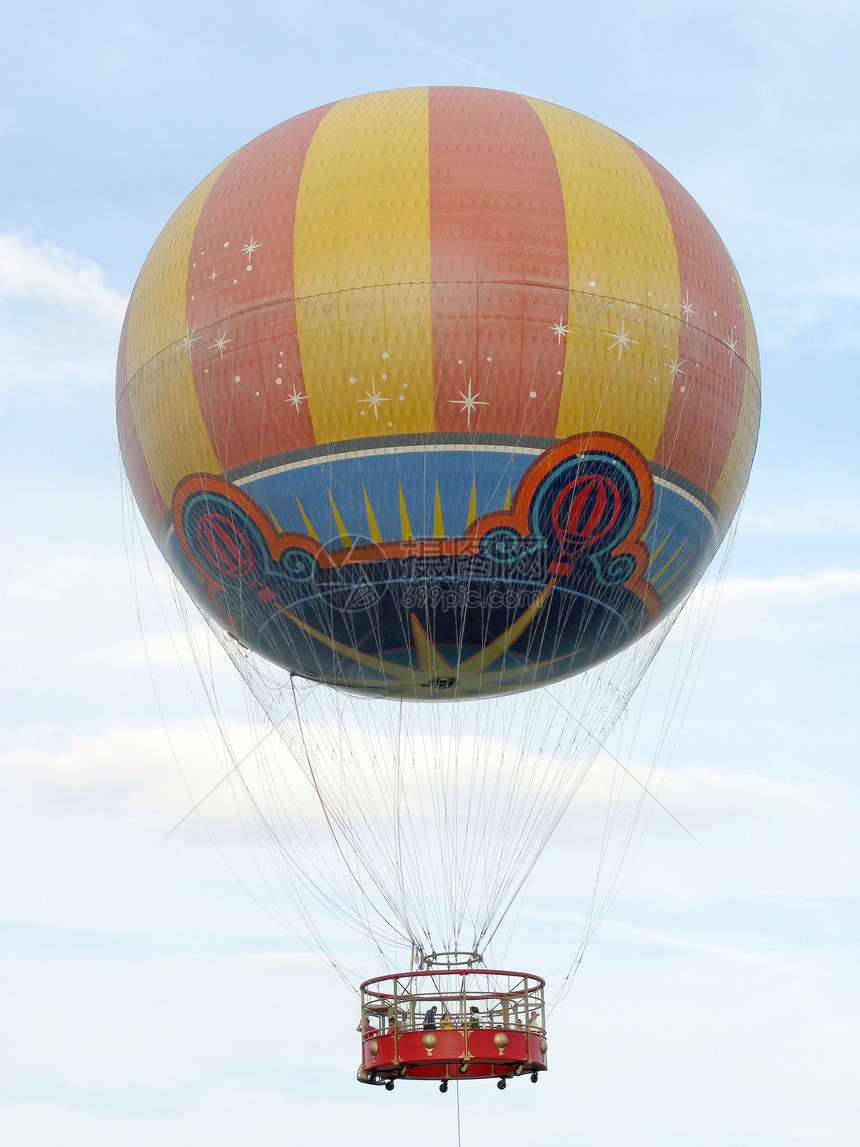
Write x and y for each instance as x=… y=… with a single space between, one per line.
x=452 y=1024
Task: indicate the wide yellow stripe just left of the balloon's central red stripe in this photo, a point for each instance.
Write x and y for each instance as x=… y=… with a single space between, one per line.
x=363 y=269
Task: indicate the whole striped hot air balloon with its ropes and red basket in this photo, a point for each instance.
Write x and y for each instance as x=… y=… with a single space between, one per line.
x=440 y=395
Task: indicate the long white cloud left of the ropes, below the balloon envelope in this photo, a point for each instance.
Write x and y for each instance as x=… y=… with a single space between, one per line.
x=256 y=812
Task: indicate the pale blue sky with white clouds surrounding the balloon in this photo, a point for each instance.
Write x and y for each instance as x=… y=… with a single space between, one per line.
x=146 y=995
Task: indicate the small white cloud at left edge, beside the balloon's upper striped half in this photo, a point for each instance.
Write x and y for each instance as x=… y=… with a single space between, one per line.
x=46 y=274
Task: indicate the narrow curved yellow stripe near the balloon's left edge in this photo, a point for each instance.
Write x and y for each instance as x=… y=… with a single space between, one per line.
x=162 y=395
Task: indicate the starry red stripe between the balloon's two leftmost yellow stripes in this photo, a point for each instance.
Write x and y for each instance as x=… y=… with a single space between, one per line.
x=241 y=305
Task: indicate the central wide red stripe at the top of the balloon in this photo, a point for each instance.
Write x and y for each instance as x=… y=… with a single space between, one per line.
x=497 y=217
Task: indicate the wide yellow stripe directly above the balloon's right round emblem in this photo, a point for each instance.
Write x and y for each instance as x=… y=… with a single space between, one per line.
x=620 y=335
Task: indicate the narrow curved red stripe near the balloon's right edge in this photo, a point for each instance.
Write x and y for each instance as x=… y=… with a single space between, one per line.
x=709 y=383
